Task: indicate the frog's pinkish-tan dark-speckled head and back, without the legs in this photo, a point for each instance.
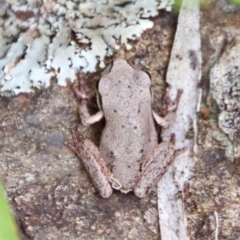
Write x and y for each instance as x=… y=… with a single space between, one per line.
x=129 y=133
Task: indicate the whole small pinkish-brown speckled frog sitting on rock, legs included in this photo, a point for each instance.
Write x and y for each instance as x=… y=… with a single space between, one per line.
x=129 y=157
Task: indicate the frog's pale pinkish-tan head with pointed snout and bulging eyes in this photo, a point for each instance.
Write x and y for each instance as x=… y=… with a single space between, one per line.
x=122 y=86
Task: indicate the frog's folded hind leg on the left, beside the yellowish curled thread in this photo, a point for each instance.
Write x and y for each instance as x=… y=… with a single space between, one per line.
x=96 y=167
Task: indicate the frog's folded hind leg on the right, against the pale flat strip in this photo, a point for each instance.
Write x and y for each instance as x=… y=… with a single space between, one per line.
x=154 y=168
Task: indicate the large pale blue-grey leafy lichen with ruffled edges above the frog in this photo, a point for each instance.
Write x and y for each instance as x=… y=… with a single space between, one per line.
x=42 y=39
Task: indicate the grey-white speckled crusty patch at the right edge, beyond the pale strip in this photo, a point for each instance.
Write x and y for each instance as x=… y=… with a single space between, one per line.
x=224 y=88
